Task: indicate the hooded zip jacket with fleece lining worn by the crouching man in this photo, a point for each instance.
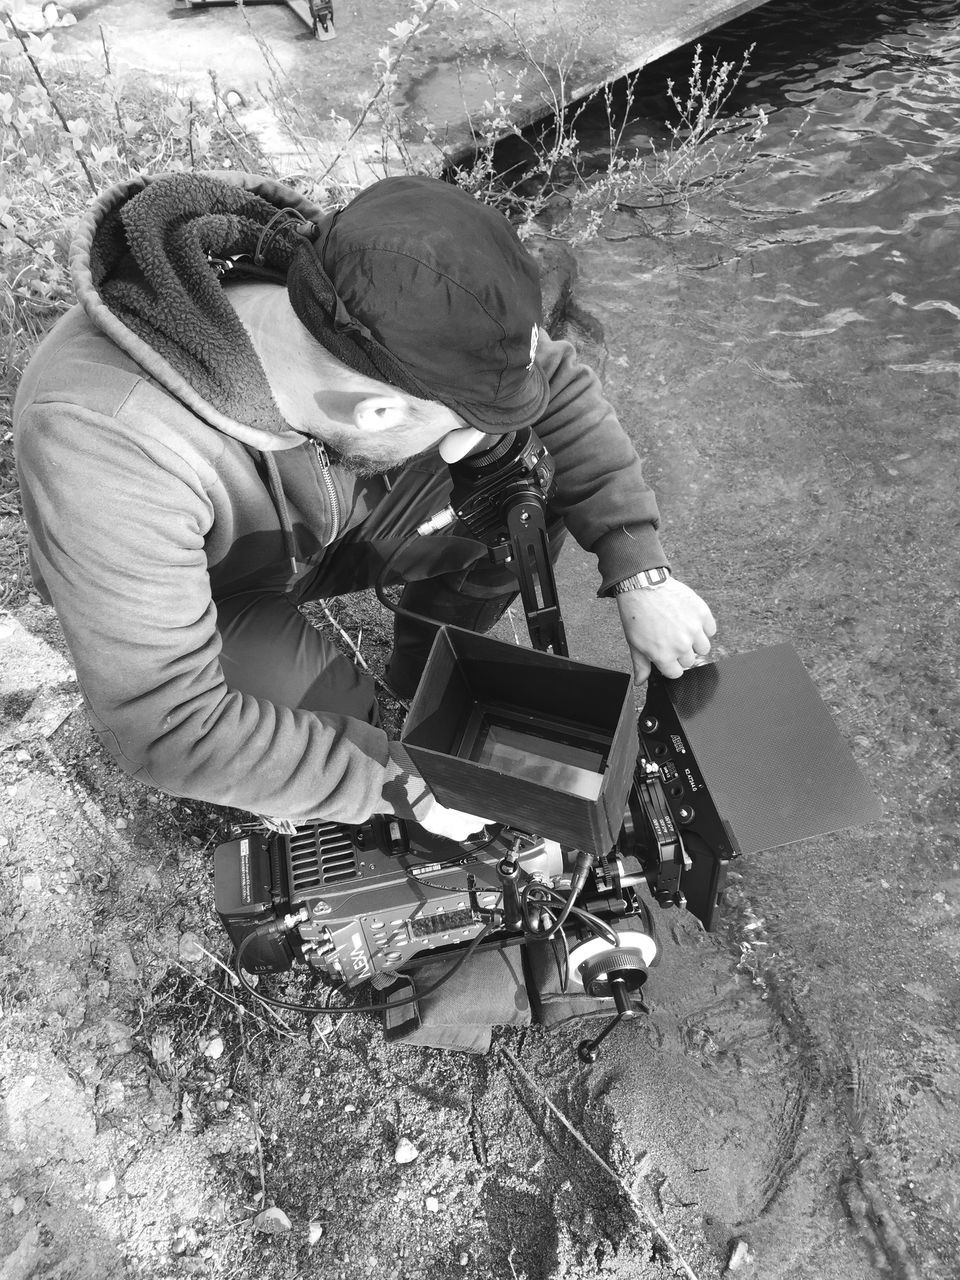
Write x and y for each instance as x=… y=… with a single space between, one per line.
x=159 y=477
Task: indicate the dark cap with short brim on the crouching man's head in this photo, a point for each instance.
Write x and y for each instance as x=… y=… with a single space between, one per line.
x=419 y=285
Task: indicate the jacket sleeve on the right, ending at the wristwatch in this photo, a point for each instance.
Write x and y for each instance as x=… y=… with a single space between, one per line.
x=601 y=491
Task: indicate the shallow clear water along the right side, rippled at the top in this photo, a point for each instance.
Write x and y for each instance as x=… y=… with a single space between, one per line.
x=787 y=359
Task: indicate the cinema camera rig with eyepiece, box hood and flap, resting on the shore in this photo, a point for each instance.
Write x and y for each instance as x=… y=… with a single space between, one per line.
x=597 y=819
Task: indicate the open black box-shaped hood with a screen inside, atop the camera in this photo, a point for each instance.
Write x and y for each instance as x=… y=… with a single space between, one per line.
x=540 y=743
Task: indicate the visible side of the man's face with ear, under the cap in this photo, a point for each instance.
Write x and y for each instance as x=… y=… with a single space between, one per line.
x=383 y=436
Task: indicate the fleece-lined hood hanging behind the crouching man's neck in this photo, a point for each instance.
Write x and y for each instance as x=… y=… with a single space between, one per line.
x=145 y=266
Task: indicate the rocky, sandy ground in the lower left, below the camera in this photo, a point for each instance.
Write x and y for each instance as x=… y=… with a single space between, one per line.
x=157 y=1124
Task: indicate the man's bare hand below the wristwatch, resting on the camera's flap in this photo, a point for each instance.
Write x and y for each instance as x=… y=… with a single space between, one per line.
x=666 y=627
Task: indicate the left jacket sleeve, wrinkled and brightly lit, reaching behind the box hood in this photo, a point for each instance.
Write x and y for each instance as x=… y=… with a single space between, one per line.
x=118 y=536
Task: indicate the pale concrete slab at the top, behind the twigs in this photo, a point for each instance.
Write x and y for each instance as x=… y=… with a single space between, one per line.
x=463 y=57
